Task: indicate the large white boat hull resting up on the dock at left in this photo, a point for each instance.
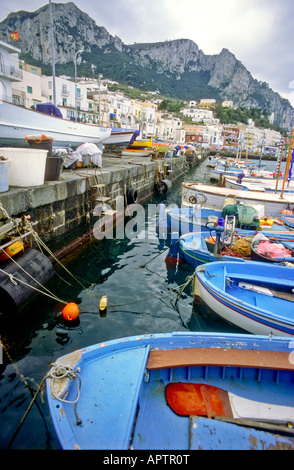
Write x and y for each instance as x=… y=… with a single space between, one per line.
x=17 y=122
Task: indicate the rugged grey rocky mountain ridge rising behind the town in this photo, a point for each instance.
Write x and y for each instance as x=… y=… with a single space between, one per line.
x=176 y=68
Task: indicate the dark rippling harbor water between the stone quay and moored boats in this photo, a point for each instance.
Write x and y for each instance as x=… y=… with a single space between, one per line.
x=142 y=299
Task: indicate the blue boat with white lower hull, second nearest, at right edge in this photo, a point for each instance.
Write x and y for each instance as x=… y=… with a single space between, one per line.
x=249 y=294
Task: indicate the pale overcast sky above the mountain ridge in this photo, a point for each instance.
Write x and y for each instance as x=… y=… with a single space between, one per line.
x=258 y=32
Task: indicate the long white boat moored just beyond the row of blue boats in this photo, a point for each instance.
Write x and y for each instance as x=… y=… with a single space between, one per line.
x=213 y=197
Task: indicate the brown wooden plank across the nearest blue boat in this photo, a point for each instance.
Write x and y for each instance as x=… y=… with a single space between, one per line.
x=218 y=357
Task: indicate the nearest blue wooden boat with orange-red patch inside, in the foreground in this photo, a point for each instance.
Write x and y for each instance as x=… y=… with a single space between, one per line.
x=175 y=391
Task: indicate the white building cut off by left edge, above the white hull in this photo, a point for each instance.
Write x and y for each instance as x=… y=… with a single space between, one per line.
x=10 y=73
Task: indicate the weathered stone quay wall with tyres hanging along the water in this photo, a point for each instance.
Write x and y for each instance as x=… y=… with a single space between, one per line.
x=57 y=208
